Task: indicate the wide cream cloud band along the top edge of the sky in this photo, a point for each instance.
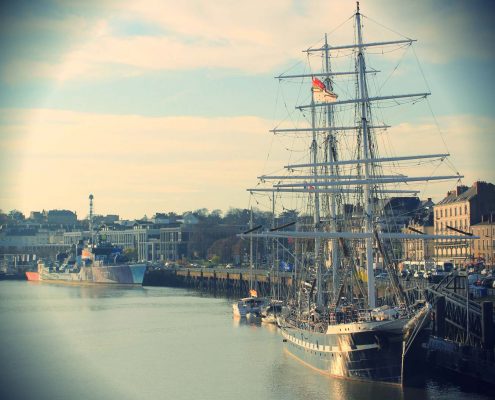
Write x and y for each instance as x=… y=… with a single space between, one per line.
x=251 y=37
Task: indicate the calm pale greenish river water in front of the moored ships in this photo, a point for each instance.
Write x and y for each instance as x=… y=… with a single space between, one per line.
x=107 y=342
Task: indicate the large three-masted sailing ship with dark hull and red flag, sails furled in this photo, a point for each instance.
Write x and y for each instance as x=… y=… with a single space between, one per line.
x=336 y=320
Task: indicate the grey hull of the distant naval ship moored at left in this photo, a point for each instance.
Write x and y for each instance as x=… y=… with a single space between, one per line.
x=117 y=274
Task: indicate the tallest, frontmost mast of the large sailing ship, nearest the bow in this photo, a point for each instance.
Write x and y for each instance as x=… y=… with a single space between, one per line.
x=363 y=94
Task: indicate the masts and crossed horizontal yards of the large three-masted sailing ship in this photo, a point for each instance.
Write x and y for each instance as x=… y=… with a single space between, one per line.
x=330 y=182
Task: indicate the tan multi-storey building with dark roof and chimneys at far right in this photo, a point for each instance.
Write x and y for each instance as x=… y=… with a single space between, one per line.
x=458 y=212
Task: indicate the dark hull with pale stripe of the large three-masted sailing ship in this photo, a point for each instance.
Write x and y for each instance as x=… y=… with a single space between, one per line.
x=366 y=351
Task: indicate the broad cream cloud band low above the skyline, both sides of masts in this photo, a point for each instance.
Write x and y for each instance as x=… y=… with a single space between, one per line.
x=139 y=165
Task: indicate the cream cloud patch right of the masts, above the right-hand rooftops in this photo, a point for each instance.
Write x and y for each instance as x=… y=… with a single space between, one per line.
x=467 y=138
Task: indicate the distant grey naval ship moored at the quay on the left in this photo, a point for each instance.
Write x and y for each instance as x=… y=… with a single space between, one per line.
x=101 y=263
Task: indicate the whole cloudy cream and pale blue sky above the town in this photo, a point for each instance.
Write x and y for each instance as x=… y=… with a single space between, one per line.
x=159 y=106
